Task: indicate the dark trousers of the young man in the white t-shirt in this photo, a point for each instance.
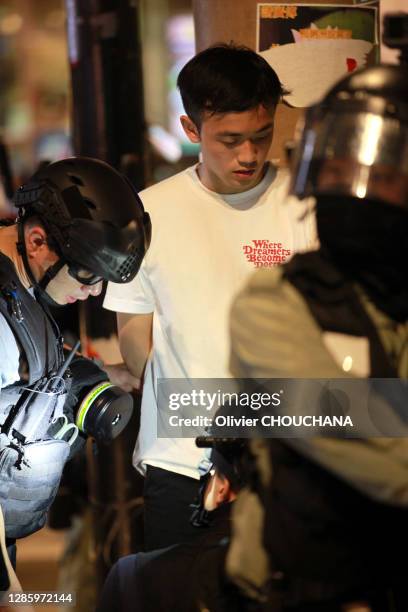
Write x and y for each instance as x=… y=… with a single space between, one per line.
x=167 y=511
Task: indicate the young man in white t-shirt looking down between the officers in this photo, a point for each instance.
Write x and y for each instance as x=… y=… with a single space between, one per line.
x=213 y=225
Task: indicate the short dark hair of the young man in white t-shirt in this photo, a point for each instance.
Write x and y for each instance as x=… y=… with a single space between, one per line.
x=227 y=78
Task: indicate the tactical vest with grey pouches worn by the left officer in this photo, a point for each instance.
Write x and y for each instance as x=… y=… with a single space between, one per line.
x=31 y=462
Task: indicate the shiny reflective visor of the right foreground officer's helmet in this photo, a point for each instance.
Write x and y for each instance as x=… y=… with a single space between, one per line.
x=362 y=155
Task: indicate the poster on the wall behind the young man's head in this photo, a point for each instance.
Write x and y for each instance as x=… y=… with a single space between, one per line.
x=311 y=46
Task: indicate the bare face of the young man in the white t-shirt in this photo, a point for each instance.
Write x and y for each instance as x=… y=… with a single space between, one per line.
x=234 y=147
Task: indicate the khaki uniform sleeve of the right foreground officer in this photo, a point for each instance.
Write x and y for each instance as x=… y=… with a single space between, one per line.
x=274 y=335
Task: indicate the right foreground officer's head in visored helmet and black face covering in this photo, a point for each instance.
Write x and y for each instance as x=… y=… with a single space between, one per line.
x=352 y=157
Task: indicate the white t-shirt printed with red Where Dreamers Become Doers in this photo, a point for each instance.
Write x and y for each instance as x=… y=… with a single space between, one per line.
x=204 y=247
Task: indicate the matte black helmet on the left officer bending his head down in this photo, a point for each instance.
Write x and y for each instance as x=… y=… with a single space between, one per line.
x=94 y=219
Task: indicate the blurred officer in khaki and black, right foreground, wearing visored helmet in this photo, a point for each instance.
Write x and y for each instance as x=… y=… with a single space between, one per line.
x=336 y=509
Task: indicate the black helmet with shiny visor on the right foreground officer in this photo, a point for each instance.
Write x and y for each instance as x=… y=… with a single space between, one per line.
x=355 y=142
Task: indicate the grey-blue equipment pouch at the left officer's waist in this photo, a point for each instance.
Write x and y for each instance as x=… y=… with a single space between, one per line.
x=31 y=461
